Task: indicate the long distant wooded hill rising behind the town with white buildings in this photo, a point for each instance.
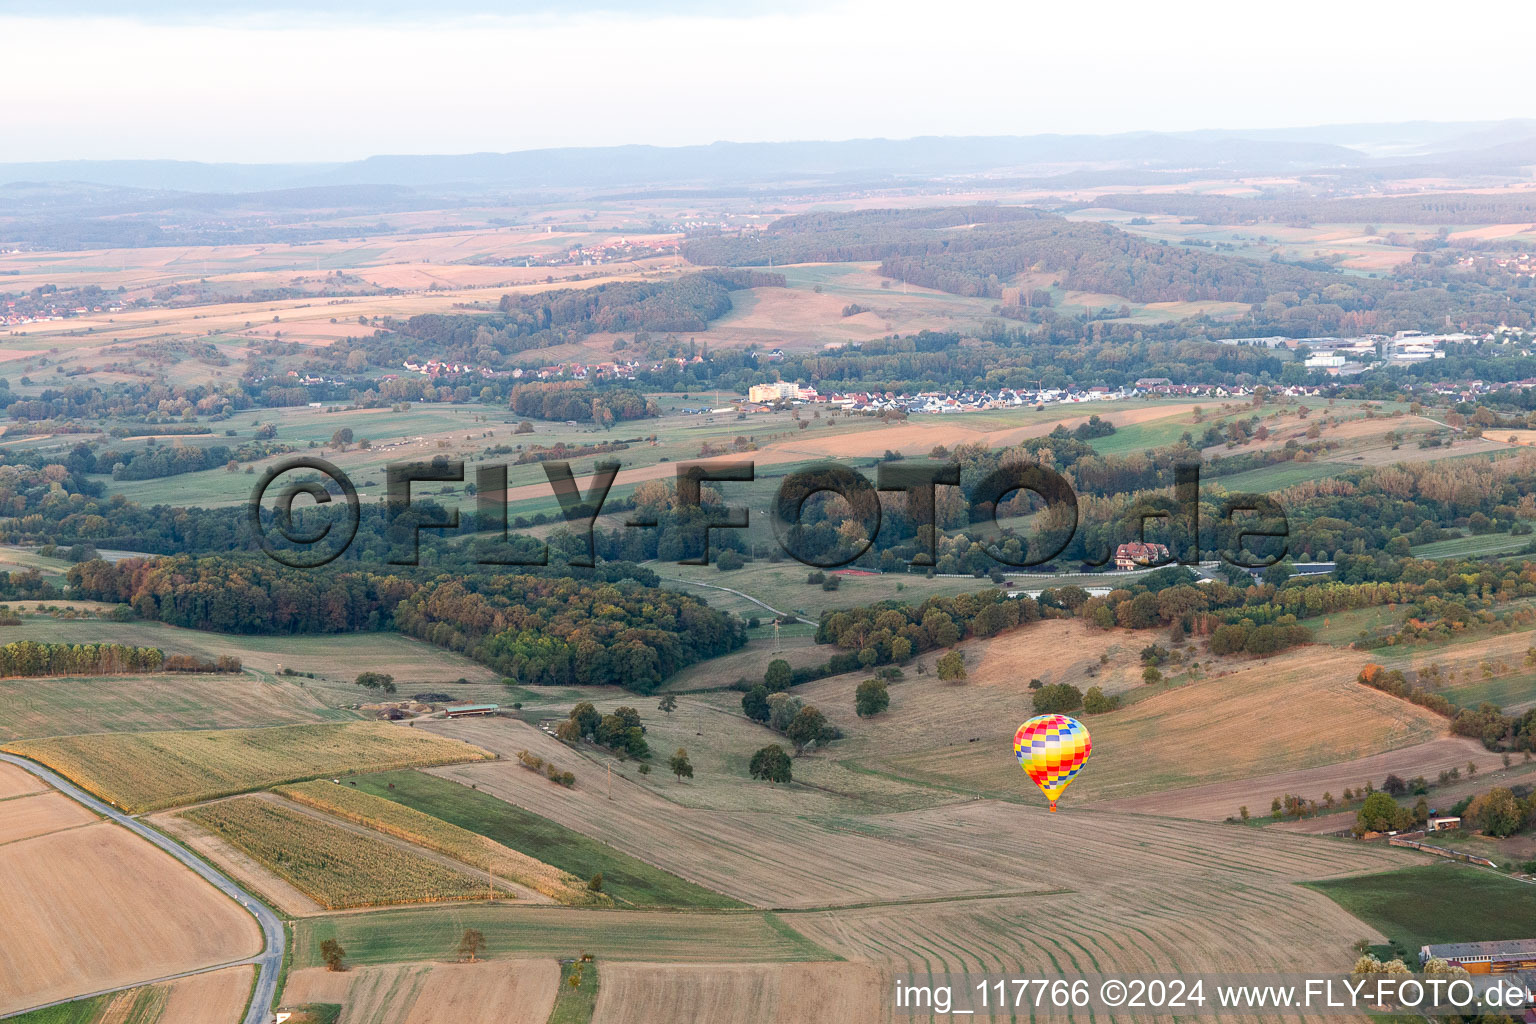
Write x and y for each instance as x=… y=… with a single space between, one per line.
x=976 y=251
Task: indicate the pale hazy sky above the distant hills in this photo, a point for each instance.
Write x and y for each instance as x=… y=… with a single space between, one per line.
x=348 y=79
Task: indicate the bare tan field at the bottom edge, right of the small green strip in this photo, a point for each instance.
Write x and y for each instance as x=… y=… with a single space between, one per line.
x=741 y=994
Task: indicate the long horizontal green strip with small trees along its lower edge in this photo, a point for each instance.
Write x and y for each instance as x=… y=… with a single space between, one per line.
x=389 y=937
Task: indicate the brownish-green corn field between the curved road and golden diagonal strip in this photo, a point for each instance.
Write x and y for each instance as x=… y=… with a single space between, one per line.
x=334 y=867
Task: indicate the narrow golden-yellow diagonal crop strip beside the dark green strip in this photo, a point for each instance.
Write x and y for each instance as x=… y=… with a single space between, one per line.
x=425 y=830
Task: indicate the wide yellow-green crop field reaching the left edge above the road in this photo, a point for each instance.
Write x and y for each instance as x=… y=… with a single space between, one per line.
x=150 y=771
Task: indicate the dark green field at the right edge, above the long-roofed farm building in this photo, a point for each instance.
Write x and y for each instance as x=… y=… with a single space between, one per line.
x=1438 y=903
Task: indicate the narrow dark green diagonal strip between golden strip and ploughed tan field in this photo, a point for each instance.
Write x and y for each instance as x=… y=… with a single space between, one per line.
x=626 y=879
